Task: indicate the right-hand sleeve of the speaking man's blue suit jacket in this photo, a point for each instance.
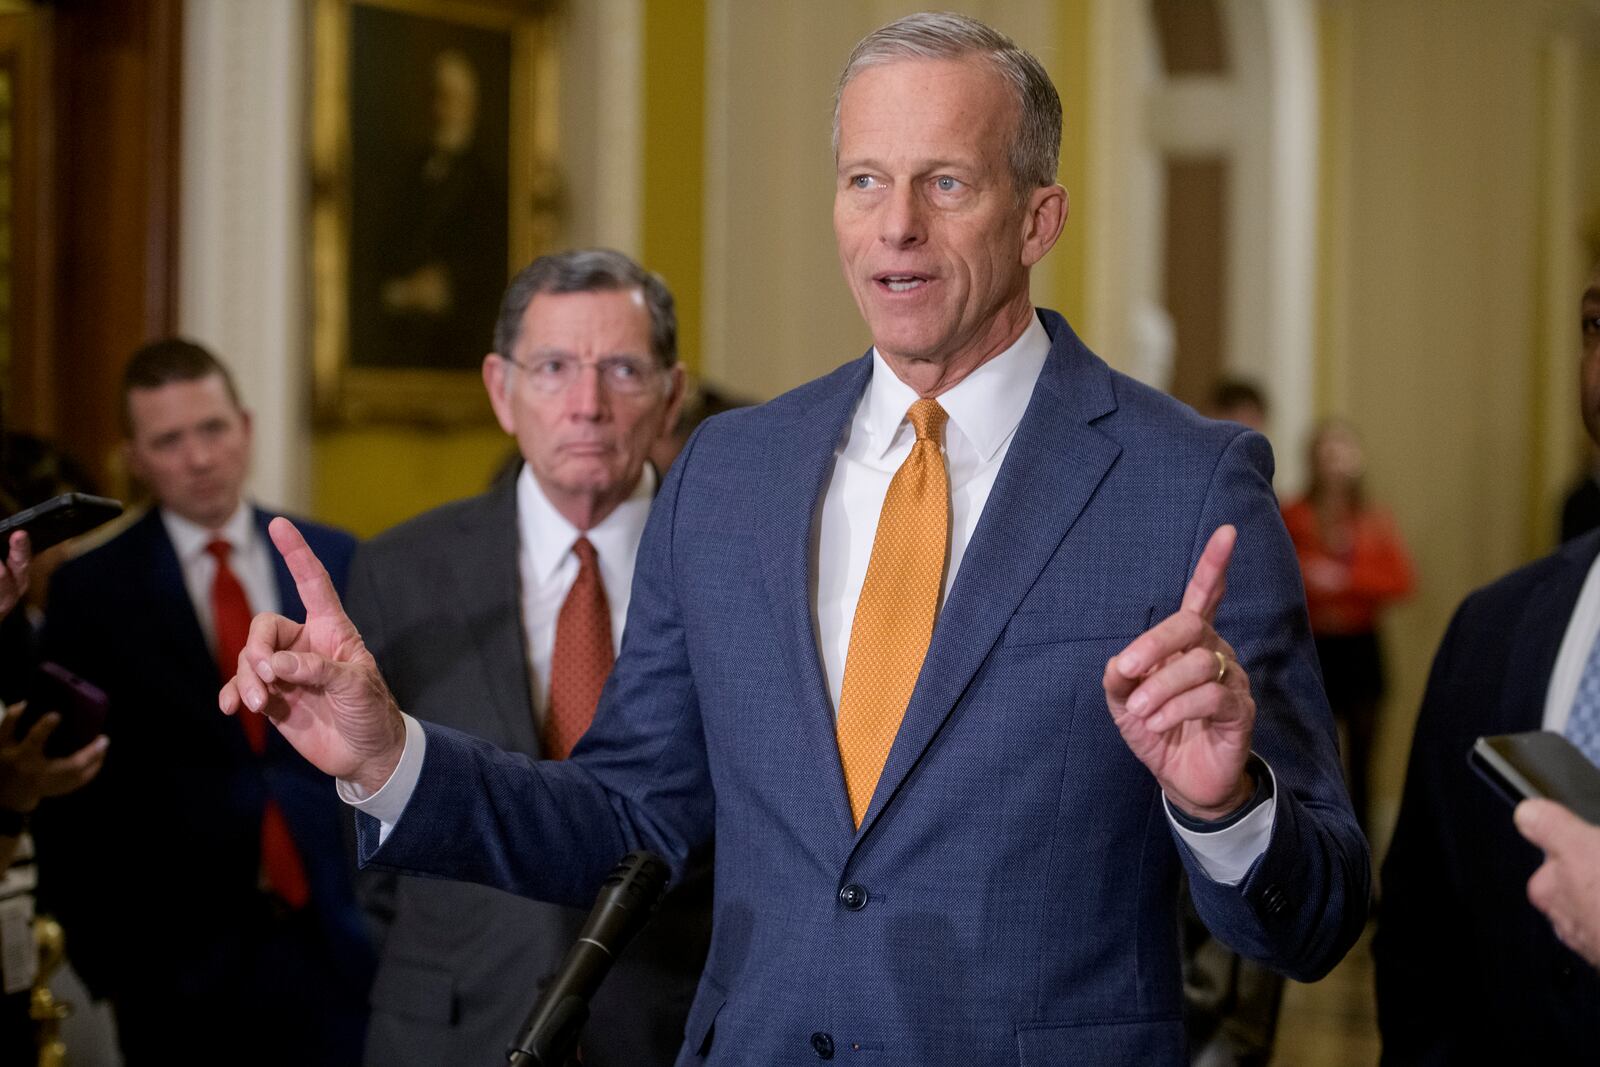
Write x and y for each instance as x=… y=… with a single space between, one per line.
x=1303 y=903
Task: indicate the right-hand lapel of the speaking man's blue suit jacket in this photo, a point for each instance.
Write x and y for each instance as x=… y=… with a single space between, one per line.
x=1050 y=473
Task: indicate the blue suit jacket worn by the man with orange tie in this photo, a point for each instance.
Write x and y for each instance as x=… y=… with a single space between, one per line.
x=1010 y=895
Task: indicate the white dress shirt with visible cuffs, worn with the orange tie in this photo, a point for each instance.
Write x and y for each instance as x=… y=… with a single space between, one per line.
x=985 y=410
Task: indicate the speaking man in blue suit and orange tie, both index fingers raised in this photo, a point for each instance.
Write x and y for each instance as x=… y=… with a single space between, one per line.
x=975 y=860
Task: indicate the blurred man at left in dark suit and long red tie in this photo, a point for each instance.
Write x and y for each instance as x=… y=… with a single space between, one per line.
x=207 y=874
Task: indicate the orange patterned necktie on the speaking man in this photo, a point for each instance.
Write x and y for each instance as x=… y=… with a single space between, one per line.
x=898 y=605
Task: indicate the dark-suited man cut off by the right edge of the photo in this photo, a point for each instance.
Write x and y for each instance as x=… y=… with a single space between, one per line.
x=1468 y=970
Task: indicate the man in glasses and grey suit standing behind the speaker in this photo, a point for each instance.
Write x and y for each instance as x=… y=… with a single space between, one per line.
x=465 y=609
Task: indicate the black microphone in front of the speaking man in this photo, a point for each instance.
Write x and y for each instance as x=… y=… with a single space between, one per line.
x=626 y=900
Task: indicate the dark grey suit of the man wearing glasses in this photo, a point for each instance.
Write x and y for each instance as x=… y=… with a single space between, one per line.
x=439 y=605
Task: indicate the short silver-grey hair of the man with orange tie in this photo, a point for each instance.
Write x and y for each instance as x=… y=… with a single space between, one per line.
x=1036 y=150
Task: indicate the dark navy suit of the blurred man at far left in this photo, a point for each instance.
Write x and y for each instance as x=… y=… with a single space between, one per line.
x=154 y=868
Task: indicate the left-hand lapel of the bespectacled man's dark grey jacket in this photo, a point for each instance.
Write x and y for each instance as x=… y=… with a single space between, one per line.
x=487 y=599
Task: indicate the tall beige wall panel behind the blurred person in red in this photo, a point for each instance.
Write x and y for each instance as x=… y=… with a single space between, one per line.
x=1439 y=290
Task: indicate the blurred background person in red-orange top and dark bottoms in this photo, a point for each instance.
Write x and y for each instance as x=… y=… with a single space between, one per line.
x=1354 y=565
